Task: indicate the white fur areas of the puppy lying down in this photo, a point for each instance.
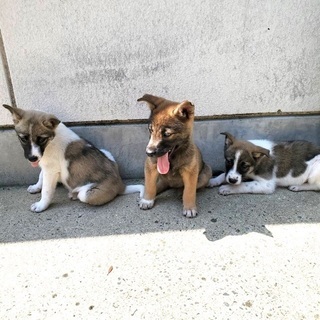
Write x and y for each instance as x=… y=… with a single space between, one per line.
x=309 y=180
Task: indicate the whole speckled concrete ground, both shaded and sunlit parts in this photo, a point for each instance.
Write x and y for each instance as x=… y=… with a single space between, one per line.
x=243 y=257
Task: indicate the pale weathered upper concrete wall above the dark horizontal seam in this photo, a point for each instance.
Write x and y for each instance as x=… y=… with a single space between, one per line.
x=91 y=60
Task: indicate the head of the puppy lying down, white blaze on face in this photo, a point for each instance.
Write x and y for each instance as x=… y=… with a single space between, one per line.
x=241 y=157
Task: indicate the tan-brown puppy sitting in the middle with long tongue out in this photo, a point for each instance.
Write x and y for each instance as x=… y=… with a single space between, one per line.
x=173 y=160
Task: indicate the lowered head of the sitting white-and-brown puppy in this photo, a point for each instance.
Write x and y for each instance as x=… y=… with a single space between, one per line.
x=35 y=130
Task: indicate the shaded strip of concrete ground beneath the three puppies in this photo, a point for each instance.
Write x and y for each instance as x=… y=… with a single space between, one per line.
x=219 y=216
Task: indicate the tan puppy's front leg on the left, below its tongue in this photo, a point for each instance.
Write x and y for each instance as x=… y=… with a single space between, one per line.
x=150 y=191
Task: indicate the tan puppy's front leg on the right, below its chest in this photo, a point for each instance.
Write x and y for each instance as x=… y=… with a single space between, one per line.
x=189 y=193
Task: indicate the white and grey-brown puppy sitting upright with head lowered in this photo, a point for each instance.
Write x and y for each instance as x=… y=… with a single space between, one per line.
x=90 y=174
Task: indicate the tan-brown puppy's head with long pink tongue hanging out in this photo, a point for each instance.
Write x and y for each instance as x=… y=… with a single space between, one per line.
x=170 y=127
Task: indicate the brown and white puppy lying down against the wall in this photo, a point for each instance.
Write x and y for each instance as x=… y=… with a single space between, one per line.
x=293 y=164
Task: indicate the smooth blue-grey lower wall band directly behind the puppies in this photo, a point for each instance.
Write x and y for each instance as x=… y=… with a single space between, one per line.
x=127 y=142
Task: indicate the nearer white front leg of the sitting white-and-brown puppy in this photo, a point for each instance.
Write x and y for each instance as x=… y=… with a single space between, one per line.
x=49 y=185
